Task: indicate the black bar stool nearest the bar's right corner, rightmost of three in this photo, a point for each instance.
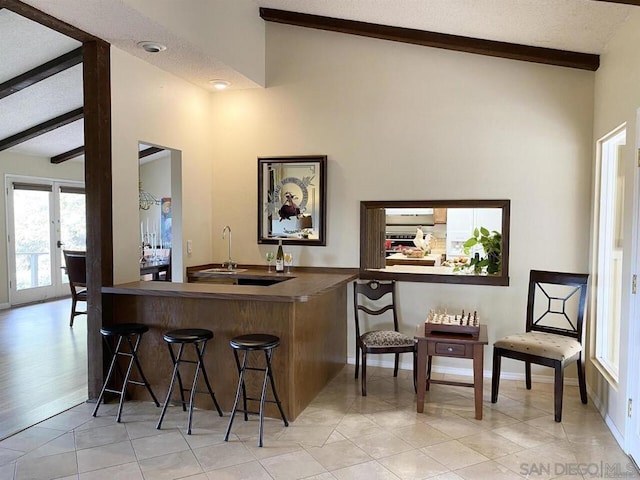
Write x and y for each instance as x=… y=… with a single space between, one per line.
x=247 y=343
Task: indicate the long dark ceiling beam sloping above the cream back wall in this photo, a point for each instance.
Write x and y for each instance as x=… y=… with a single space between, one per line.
x=548 y=56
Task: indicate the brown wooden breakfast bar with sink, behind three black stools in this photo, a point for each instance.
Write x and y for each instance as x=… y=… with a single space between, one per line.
x=307 y=309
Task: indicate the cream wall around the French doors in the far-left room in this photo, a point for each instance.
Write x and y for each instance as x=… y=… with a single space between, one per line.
x=18 y=164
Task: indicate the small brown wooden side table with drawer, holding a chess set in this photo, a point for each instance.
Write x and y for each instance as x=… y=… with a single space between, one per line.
x=451 y=345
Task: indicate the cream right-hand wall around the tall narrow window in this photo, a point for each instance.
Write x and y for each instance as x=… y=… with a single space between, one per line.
x=617 y=98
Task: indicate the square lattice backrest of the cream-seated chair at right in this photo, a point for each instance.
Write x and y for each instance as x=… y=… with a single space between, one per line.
x=556 y=303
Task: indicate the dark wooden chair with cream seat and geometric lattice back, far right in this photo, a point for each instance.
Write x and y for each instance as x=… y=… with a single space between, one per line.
x=553 y=337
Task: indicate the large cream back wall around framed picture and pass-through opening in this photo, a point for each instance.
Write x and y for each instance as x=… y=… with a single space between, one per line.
x=407 y=122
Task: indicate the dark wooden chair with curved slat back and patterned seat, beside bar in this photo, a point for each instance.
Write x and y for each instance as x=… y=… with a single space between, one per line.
x=371 y=299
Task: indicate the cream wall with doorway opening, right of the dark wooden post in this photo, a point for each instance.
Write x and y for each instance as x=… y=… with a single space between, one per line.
x=155 y=107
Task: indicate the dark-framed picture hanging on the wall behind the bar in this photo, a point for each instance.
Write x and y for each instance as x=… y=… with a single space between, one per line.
x=292 y=200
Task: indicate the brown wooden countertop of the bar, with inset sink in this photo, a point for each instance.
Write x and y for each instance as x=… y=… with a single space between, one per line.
x=298 y=286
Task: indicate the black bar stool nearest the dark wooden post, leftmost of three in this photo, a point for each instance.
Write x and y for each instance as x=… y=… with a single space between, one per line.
x=125 y=334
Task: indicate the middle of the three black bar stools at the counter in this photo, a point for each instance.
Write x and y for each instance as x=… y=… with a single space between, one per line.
x=198 y=337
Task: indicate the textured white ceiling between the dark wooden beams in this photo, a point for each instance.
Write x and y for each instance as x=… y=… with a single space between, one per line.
x=575 y=25
